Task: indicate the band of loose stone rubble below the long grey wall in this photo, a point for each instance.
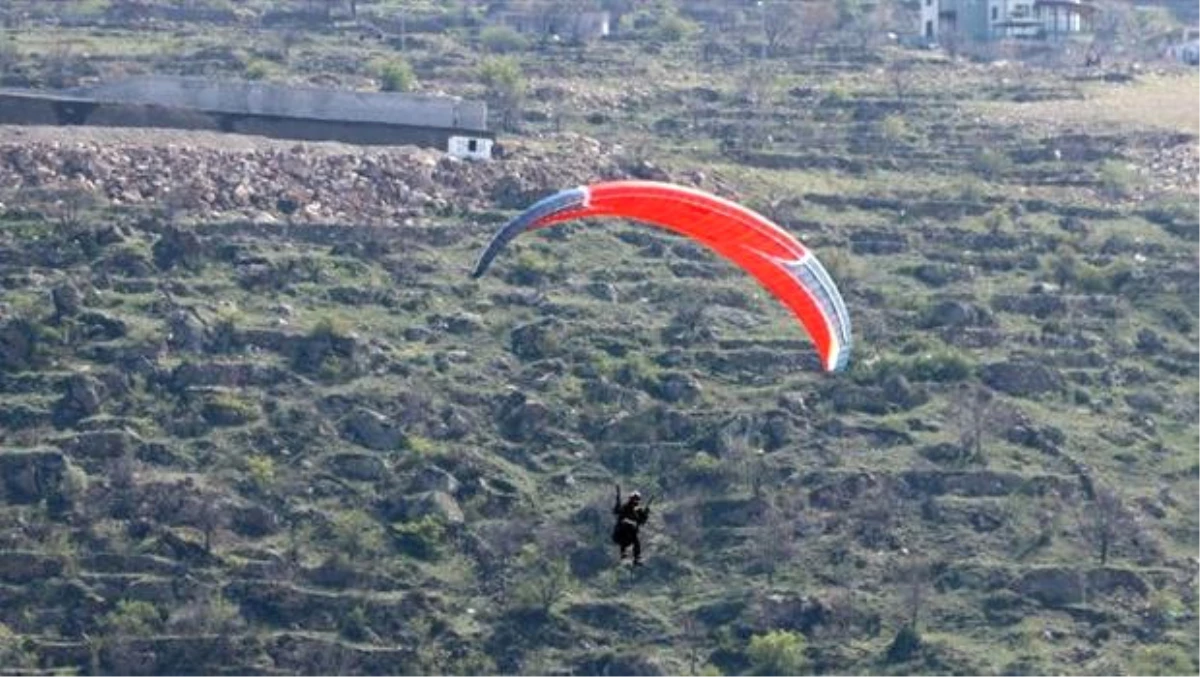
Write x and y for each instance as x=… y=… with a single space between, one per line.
x=271 y=181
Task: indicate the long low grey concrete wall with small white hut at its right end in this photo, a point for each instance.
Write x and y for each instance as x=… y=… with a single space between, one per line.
x=454 y=125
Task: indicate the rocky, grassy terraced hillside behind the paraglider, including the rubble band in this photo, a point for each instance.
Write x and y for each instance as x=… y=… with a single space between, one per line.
x=255 y=416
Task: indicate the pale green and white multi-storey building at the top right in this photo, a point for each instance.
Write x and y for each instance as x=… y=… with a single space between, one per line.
x=998 y=20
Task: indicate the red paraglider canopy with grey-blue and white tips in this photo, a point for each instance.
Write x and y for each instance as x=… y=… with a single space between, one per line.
x=776 y=259
